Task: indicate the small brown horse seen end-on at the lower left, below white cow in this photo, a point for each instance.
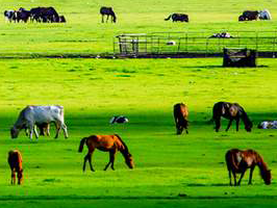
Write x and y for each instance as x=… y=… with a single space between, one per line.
x=15 y=162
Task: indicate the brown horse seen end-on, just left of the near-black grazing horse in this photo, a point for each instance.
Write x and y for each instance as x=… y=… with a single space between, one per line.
x=180 y=112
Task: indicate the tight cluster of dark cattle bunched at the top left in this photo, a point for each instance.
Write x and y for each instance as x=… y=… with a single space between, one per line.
x=38 y=14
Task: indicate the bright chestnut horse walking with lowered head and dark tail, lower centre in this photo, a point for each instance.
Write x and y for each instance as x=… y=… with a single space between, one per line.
x=107 y=143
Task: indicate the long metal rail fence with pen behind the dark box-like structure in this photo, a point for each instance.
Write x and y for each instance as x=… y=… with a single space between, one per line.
x=193 y=42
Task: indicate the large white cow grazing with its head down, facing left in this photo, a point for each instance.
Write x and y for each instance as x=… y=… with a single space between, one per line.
x=31 y=116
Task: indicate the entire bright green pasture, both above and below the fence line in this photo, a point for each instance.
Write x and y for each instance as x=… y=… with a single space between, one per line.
x=170 y=170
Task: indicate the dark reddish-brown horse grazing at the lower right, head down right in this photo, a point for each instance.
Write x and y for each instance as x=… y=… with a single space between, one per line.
x=238 y=161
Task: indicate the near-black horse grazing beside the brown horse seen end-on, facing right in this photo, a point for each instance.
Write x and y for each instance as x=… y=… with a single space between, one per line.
x=230 y=111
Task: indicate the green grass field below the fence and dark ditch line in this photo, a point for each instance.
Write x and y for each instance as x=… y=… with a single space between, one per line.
x=144 y=90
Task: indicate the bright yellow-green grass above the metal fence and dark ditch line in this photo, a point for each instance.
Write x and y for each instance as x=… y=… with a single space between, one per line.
x=84 y=33
